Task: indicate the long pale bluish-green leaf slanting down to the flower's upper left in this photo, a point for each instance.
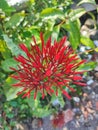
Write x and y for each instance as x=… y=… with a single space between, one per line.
x=12 y=46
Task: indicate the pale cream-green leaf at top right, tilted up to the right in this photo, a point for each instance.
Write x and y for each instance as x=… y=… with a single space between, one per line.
x=77 y=13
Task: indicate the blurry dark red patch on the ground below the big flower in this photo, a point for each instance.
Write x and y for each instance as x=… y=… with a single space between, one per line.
x=58 y=120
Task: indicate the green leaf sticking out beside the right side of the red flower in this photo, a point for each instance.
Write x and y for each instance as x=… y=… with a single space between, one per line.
x=88 y=66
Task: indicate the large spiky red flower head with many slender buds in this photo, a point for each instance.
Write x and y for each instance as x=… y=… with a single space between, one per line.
x=47 y=68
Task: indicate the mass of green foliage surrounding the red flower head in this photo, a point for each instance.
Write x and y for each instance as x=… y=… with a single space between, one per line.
x=18 y=23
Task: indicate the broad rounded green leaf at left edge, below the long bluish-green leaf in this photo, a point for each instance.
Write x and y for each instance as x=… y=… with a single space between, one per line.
x=6 y=64
